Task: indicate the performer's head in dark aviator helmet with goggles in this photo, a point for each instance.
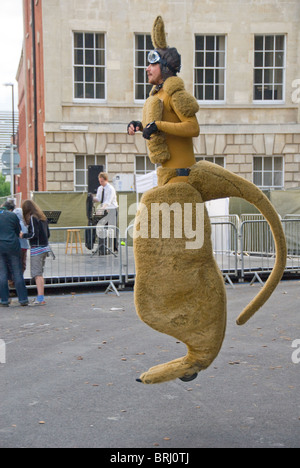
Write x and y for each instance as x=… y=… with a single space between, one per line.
x=163 y=63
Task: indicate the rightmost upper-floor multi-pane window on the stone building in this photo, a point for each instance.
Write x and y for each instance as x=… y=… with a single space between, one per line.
x=269 y=68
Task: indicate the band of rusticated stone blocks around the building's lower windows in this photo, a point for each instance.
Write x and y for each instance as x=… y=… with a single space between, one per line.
x=121 y=149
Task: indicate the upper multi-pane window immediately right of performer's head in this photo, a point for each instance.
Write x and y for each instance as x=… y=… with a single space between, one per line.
x=209 y=77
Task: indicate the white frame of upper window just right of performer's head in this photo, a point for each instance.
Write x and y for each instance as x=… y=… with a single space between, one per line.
x=214 y=68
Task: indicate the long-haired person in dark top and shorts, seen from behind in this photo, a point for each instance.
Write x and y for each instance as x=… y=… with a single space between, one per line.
x=38 y=235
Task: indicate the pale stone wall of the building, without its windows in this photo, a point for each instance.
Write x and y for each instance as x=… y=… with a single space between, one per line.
x=237 y=129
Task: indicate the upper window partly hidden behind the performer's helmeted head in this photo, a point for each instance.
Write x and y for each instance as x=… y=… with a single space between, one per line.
x=143 y=45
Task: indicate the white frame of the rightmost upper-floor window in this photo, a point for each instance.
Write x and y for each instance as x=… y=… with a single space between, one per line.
x=263 y=68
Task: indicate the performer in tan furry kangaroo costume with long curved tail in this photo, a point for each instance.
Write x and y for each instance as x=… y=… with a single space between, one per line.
x=179 y=290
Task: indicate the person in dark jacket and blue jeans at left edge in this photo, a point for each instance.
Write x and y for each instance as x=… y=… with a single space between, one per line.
x=10 y=255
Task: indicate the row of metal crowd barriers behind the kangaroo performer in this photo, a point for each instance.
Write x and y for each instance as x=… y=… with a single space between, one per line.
x=243 y=249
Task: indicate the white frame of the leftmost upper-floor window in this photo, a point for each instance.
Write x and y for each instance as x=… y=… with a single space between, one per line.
x=84 y=99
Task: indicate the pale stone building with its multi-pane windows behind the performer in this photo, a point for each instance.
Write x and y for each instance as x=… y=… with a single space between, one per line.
x=240 y=58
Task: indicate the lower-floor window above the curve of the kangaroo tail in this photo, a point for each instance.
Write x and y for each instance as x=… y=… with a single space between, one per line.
x=268 y=172
